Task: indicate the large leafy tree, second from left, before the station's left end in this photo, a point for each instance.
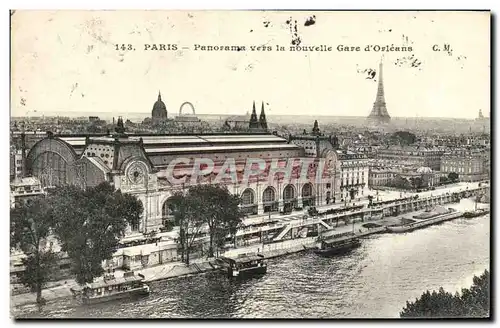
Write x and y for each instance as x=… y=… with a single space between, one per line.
x=91 y=223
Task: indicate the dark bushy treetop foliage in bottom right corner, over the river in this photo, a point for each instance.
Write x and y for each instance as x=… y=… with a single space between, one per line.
x=473 y=303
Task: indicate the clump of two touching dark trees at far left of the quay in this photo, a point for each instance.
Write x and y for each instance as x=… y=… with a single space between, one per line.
x=87 y=224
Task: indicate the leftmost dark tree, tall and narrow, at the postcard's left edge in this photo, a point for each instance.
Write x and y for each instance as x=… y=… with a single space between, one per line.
x=31 y=225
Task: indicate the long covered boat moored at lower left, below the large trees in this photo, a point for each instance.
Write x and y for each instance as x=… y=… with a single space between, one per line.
x=111 y=288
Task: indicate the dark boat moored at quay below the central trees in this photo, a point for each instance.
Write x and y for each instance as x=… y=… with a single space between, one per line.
x=243 y=265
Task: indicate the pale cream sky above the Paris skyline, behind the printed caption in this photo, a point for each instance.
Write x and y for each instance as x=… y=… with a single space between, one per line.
x=66 y=62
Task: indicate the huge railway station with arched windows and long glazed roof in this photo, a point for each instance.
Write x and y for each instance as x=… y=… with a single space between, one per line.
x=137 y=164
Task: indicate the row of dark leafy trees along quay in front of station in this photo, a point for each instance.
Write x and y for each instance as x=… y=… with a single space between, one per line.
x=88 y=225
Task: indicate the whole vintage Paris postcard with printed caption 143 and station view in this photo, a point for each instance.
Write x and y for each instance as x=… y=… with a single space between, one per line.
x=250 y=164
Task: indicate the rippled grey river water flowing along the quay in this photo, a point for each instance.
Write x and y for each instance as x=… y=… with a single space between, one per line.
x=373 y=281
